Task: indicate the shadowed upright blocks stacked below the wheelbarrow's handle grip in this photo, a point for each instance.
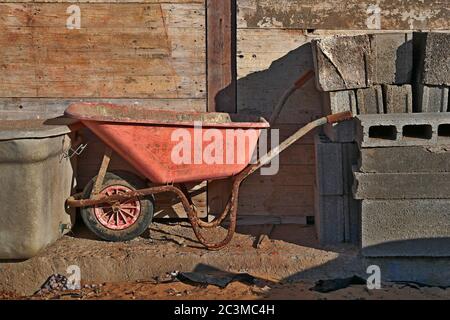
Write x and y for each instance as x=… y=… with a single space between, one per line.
x=336 y=212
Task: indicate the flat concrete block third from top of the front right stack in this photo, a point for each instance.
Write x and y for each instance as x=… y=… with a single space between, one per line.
x=402 y=185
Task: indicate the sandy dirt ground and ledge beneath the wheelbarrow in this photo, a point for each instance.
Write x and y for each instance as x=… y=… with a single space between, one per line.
x=286 y=265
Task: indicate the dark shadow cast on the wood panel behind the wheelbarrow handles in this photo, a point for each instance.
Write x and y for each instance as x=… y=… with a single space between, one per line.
x=290 y=192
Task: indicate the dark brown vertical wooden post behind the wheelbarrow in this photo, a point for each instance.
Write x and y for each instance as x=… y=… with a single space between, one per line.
x=221 y=54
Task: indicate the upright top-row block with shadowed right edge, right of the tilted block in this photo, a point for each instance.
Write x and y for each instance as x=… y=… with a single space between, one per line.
x=393 y=58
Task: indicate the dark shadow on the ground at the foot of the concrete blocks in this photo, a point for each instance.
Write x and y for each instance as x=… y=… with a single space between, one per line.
x=433 y=271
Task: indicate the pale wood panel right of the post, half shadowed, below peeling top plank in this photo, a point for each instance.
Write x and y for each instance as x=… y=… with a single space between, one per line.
x=269 y=61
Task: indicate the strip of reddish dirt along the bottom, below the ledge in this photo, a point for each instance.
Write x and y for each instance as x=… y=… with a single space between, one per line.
x=141 y=290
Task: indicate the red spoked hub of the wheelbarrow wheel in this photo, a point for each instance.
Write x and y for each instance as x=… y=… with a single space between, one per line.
x=118 y=216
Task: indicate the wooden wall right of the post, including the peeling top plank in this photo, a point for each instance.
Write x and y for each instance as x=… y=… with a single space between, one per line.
x=273 y=50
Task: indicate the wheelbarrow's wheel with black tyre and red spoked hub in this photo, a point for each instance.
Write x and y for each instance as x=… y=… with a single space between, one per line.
x=122 y=221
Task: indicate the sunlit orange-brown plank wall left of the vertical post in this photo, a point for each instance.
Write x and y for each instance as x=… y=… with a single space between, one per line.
x=148 y=52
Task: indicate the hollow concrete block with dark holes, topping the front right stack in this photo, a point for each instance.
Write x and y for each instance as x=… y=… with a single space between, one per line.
x=399 y=130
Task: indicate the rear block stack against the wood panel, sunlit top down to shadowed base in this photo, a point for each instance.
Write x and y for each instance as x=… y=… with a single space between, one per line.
x=365 y=74
